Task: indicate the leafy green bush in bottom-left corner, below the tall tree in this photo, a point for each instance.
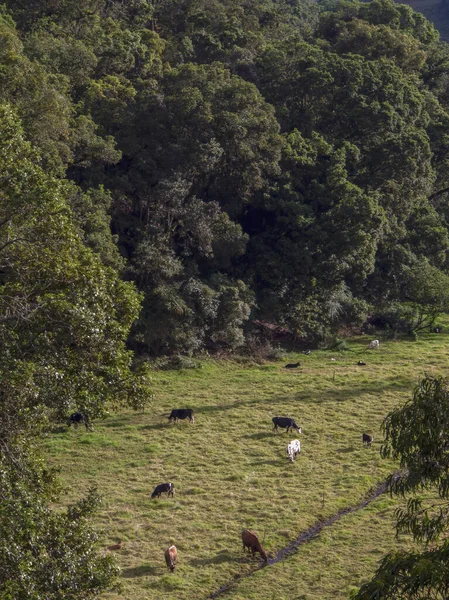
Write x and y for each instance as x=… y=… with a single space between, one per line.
x=45 y=553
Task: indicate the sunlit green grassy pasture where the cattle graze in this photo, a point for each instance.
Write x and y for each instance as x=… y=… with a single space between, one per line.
x=231 y=471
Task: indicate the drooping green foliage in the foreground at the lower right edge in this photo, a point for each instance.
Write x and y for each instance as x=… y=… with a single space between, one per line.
x=416 y=435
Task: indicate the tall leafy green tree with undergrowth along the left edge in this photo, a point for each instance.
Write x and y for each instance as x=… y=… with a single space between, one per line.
x=64 y=319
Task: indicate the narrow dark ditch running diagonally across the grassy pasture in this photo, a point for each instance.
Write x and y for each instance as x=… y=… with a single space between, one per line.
x=307 y=536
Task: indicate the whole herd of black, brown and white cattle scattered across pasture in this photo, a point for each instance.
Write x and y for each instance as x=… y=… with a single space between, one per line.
x=250 y=540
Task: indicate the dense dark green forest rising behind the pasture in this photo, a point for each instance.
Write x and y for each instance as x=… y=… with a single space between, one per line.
x=242 y=163
